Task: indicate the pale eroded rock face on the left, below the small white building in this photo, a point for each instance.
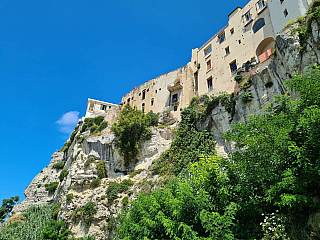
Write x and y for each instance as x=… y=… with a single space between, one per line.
x=102 y=148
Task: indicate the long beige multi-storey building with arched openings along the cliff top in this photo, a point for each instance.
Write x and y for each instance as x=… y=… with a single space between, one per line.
x=242 y=46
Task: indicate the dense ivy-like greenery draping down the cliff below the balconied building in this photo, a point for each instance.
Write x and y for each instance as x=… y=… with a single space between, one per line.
x=188 y=145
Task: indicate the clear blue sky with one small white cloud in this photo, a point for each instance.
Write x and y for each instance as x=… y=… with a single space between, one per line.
x=54 y=55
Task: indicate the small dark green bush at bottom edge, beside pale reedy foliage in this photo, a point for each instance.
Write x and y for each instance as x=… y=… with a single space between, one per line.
x=55 y=231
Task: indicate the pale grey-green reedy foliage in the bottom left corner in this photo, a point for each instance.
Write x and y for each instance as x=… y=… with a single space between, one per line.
x=30 y=228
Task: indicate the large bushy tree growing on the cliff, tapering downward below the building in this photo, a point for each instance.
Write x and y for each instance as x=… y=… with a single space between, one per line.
x=131 y=125
